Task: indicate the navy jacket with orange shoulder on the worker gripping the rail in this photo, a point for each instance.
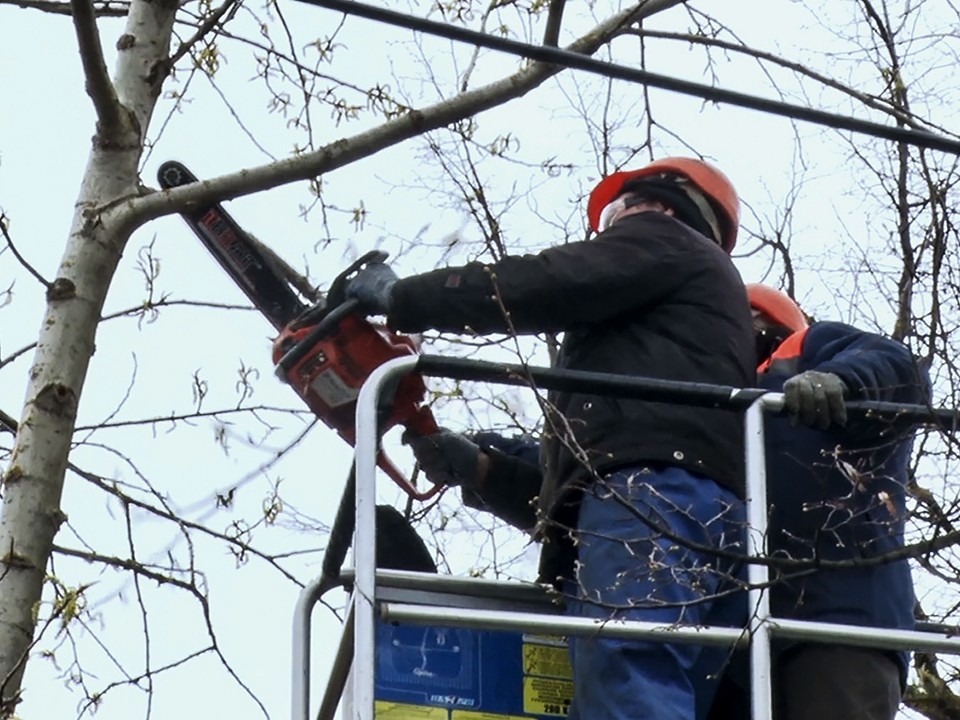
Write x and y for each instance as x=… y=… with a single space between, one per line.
x=839 y=494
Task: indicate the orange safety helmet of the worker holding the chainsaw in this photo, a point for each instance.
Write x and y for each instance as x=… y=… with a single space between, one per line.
x=705 y=177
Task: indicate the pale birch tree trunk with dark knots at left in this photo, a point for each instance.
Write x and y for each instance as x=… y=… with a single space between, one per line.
x=33 y=483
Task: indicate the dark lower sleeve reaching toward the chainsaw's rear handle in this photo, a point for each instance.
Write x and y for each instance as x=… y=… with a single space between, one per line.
x=513 y=481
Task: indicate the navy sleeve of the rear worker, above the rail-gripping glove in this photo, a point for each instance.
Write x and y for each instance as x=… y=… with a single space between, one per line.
x=872 y=366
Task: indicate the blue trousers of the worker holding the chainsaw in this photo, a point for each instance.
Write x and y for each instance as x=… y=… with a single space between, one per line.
x=633 y=563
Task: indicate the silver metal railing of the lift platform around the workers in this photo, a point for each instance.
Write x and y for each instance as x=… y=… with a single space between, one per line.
x=356 y=651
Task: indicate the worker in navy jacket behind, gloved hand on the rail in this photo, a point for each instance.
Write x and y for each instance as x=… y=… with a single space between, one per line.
x=837 y=492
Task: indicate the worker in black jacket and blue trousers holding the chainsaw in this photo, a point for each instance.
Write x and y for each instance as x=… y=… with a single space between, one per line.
x=646 y=489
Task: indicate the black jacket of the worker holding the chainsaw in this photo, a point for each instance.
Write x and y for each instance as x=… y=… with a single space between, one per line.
x=648 y=297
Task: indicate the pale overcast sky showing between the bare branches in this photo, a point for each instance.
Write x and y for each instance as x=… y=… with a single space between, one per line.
x=148 y=369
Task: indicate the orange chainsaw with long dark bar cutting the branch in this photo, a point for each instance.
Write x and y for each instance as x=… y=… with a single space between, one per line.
x=324 y=350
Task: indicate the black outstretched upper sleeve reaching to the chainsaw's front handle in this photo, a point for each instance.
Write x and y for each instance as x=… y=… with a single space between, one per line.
x=627 y=268
